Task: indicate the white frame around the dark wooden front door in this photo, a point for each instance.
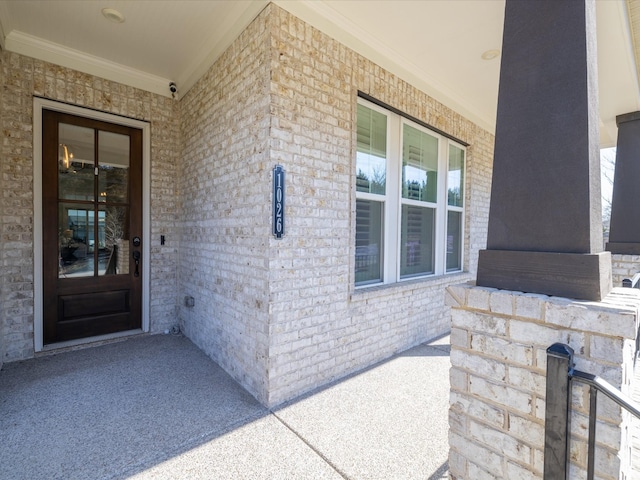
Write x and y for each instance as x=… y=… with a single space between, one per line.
x=38 y=328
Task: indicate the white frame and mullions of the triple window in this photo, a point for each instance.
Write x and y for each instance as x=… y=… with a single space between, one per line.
x=392 y=201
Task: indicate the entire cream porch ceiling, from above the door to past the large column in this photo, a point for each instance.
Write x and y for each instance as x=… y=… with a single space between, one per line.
x=436 y=45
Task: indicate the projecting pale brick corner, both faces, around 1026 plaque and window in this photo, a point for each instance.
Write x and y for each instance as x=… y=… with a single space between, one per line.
x=282 y=316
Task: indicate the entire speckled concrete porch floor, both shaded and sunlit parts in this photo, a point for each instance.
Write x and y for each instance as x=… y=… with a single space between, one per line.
x=157 y=407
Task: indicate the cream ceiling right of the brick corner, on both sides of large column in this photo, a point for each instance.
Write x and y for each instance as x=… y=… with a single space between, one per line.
x=408 y=45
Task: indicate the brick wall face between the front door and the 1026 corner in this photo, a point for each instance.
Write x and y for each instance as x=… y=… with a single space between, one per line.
x=224 y=196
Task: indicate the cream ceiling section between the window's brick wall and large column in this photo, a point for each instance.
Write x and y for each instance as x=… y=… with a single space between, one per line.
x=421 y=43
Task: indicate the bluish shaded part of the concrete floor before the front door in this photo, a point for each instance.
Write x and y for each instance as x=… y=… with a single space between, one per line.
x=112 y=411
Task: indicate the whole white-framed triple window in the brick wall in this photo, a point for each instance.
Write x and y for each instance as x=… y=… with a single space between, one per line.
x=409 y=199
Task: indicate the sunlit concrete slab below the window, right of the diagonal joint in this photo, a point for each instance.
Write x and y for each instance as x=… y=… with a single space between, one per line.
x=390 y=421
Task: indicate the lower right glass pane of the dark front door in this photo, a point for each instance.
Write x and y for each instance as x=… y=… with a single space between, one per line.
x=113 y=241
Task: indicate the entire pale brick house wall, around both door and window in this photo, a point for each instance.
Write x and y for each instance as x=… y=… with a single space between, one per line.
x=281 y=316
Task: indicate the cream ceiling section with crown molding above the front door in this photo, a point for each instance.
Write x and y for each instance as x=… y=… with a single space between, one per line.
x=158 y=42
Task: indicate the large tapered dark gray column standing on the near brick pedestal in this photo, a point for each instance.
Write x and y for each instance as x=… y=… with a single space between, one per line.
x=545 y=224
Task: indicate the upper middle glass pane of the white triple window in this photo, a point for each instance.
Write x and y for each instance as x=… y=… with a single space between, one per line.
x=419 y=165
